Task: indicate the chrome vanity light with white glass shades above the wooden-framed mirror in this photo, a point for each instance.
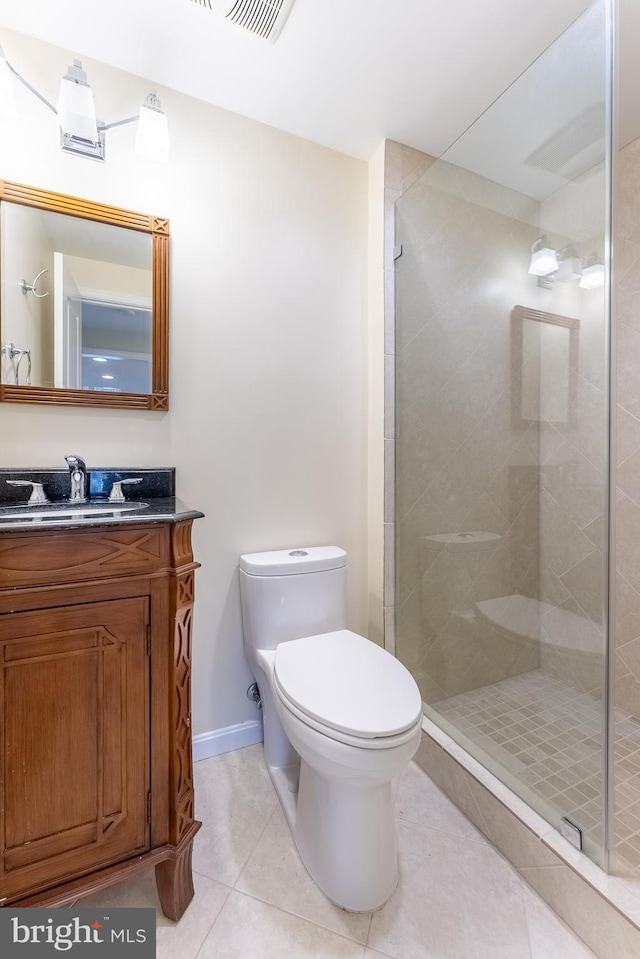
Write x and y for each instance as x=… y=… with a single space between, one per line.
x=81 y=132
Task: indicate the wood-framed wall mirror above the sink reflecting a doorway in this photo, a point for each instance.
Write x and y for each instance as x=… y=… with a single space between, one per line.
x=84 y=302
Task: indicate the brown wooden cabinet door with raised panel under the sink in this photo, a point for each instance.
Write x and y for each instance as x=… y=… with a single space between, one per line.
x=74 y=714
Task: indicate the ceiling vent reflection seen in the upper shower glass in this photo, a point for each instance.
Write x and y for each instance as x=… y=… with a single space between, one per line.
x=576 y=148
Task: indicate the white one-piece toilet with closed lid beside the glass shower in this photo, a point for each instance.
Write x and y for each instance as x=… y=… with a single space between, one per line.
x=342 y=719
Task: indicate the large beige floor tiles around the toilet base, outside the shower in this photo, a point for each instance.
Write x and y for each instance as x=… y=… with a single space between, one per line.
x=457 y=898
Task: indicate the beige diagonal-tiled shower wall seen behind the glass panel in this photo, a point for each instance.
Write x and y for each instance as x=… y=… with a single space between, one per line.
x=463 y=459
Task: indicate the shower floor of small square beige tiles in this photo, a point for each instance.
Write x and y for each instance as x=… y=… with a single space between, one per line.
x=549 y=736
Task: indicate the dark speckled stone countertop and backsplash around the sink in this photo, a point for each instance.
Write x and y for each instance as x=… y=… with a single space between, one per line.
x=151 y=501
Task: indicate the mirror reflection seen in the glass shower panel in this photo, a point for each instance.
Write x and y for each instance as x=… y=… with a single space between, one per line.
x=544 y=367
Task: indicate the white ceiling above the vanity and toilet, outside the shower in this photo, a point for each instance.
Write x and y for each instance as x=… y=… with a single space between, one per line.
x=344 y=73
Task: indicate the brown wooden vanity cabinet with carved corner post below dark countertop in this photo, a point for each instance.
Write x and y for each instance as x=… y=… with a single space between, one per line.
x=96 y=777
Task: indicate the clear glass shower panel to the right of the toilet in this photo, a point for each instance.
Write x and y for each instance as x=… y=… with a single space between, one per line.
x=502 y=434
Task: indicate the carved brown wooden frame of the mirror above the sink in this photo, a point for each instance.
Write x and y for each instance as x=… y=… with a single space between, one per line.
x=158 y=227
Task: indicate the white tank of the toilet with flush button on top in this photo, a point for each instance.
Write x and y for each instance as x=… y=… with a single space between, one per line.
x=291 y=593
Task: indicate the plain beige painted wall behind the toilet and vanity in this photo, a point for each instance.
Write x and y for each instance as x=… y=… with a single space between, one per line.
x=268 y=329
